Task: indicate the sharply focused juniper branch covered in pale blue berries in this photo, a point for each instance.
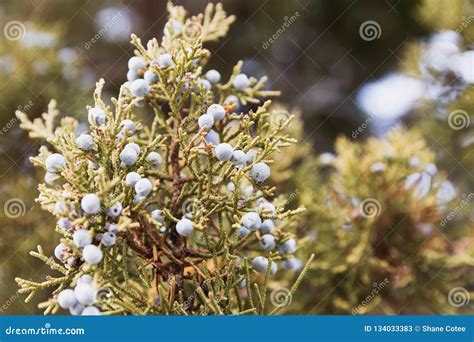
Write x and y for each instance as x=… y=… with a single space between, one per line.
x=165 y=205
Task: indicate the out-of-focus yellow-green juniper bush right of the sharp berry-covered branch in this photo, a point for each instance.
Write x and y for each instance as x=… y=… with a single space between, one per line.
x=380 y=217
